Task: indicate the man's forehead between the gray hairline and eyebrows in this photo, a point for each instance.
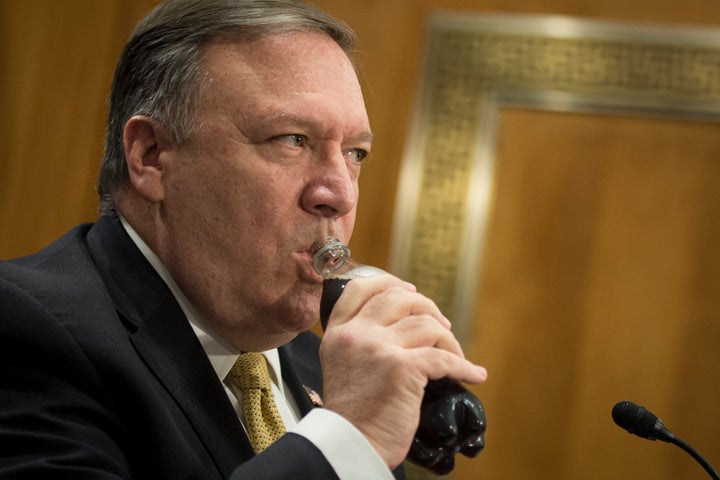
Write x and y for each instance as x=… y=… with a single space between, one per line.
x=295 y=71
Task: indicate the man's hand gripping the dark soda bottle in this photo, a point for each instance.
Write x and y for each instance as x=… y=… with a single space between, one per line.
x=383 y=342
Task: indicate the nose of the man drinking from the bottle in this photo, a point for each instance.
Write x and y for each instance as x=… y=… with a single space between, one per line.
x=333 y=187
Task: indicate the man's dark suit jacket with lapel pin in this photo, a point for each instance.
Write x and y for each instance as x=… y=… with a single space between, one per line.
x=101 y=375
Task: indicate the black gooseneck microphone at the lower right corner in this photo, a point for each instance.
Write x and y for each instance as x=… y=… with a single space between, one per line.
x=641 y=422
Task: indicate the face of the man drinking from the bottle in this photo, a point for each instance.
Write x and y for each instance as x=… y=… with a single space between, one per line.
x=273 y=167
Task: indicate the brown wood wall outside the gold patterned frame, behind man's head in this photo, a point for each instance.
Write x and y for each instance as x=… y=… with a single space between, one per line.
x=57 y=59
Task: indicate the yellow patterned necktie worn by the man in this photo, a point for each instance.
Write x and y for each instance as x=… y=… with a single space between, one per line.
x=262 y=419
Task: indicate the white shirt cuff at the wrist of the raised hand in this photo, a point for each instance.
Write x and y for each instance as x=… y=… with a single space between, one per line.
x=345 y=448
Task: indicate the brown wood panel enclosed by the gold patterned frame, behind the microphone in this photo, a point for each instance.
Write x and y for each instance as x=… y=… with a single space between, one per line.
x=600 y=284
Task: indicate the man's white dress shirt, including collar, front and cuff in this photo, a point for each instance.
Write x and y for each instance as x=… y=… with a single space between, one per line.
x=346 y=449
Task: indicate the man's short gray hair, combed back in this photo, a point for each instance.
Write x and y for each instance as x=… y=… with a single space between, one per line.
x=160 y=73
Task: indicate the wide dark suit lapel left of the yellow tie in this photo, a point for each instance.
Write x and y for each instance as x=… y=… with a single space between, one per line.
x=165 y=341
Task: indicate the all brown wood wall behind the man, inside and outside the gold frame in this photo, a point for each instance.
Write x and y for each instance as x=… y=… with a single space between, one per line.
x=584 y=262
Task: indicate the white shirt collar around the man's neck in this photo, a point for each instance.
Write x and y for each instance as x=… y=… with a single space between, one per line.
x=222 y=356
